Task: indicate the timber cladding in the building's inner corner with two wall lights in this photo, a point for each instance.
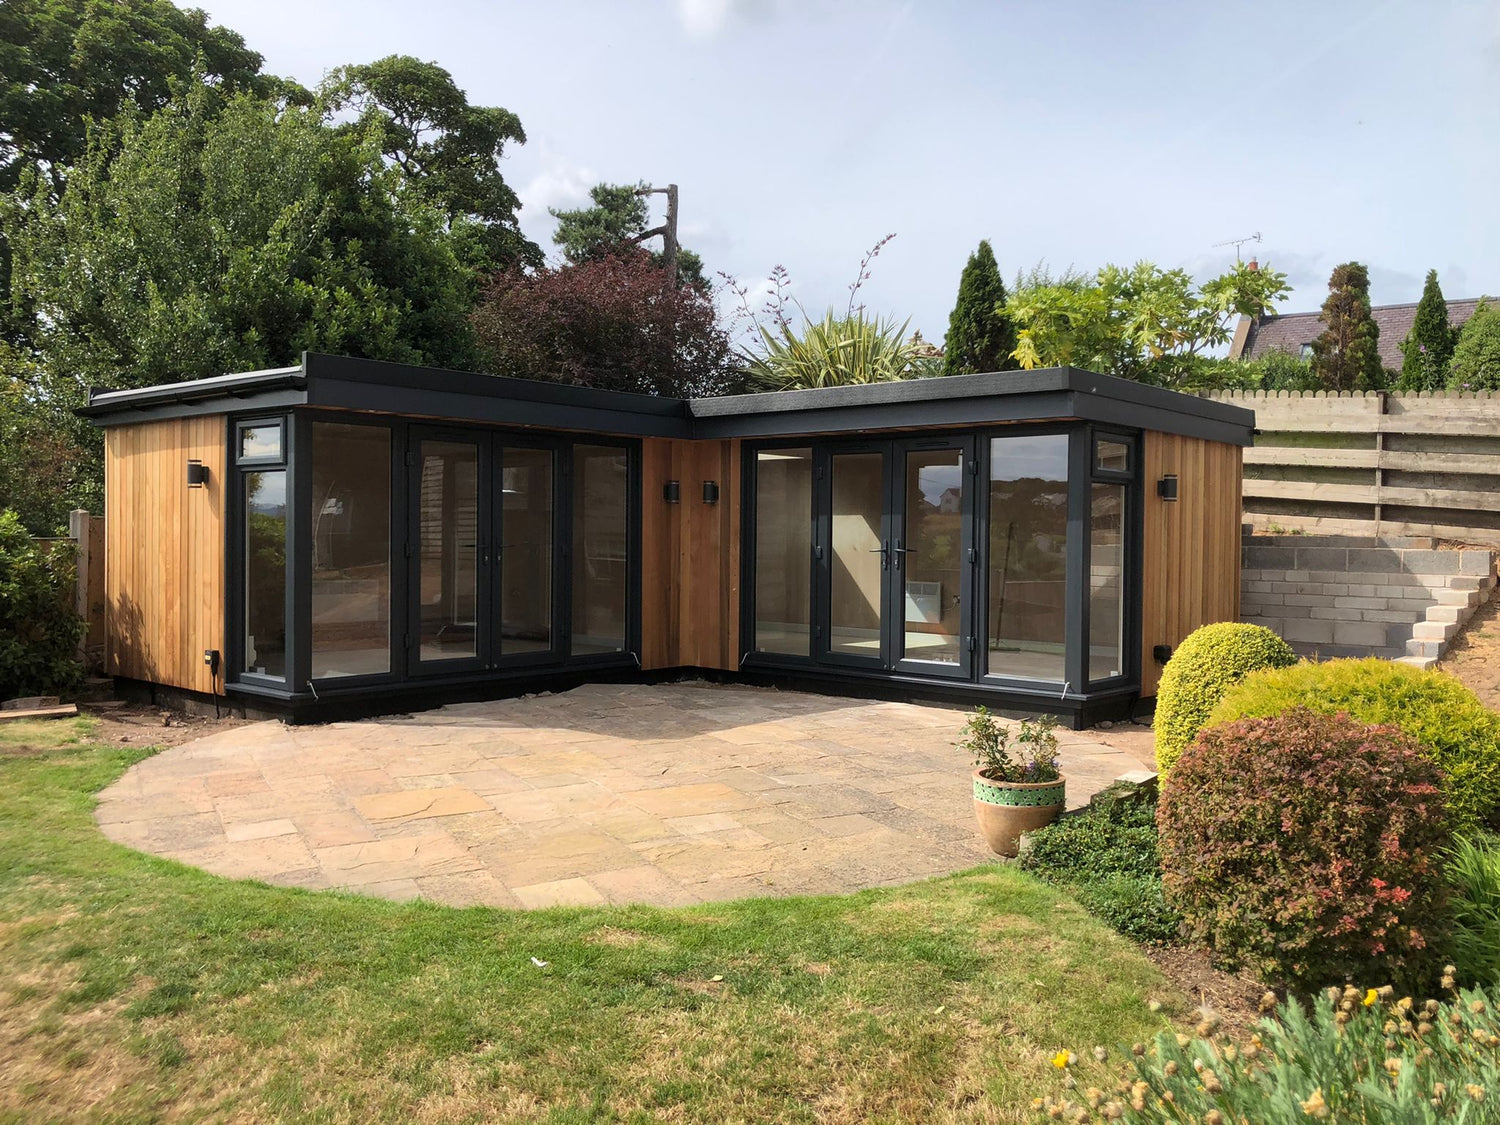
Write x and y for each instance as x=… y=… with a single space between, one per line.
x=691 y=556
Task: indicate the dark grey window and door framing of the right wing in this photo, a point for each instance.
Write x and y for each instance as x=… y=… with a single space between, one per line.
x=1084 y=472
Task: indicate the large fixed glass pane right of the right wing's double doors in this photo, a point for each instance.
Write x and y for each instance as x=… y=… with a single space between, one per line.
x=1028 y=556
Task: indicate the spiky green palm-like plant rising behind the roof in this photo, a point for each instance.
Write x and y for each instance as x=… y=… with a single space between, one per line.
x=836 y=352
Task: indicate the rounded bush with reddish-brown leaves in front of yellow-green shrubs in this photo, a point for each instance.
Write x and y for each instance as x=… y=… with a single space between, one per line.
x=1309 y=848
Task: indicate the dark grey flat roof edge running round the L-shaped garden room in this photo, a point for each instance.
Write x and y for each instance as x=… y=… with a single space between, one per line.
x=347 y=383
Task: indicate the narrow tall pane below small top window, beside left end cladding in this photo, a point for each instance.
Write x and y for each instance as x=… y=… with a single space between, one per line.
x=266 y=574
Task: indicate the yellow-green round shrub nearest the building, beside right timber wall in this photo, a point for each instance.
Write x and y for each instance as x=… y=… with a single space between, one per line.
x=1205 y=667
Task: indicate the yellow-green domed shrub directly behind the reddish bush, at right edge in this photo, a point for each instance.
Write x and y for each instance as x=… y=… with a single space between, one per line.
x=1435 y=709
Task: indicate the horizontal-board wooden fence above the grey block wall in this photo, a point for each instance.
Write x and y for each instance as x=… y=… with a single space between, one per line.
x=1375 y=463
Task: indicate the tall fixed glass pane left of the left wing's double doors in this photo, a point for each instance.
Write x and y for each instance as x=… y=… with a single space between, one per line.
x=350 y=550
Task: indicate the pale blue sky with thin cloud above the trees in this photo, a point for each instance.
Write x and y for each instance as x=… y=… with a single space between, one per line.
x=1072 y=134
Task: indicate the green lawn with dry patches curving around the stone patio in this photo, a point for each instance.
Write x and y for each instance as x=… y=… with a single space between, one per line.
x=134 y=989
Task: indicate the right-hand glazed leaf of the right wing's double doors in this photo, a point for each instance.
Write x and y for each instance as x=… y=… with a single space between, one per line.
x=931 y=560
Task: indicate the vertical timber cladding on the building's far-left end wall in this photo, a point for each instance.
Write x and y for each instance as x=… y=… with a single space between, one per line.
x=164 y=551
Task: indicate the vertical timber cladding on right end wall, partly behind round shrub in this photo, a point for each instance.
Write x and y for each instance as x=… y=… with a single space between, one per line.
x=1192 y=547
